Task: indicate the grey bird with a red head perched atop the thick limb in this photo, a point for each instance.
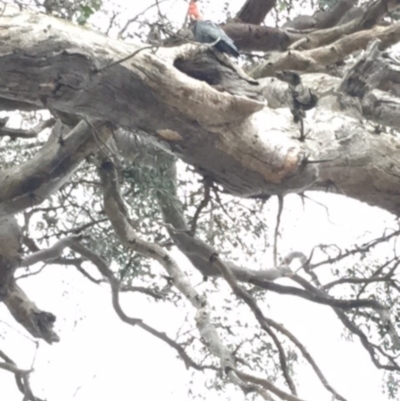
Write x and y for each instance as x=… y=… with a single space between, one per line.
x=209 y=32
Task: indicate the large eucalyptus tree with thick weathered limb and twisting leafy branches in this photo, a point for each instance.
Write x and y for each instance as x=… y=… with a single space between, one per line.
x=115 y=151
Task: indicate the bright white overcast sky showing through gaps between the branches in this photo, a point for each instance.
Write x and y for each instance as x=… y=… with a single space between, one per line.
x=100 y=358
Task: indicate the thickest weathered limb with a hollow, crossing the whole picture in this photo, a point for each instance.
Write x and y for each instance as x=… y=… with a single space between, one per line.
x=233 y=138
